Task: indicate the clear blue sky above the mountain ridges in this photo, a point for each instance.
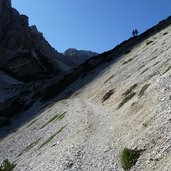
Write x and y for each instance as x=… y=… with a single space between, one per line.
x=96 y=25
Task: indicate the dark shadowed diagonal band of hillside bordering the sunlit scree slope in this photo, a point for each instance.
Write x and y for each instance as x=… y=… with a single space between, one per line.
x=49 y=89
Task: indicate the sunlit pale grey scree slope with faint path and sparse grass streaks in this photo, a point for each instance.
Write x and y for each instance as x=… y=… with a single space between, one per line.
x=118 y=105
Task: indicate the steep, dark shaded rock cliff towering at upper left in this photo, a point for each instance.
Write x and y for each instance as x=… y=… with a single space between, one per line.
x=24 y=52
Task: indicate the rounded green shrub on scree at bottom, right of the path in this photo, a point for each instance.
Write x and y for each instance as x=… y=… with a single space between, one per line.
x=128 y=158
